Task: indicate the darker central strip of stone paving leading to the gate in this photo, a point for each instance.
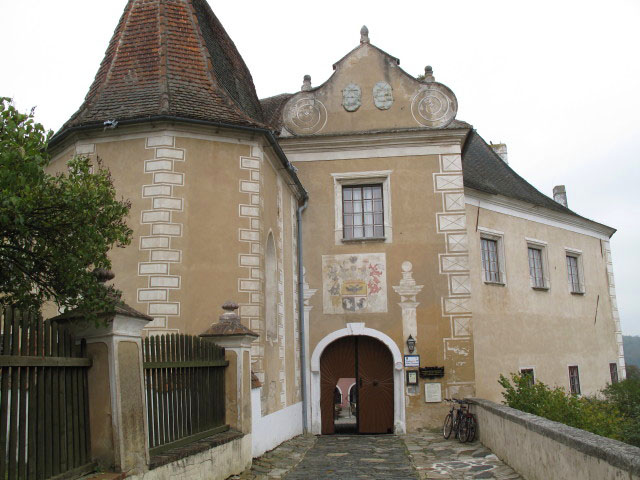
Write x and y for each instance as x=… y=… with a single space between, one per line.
x=355 y=457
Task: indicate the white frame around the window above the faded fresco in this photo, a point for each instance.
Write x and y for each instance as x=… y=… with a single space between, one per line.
x=359 y=178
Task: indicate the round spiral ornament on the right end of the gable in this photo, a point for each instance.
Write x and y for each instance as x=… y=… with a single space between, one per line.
x=434 y=106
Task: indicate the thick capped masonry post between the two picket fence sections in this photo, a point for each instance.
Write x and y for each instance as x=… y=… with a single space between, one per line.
x=117 y=409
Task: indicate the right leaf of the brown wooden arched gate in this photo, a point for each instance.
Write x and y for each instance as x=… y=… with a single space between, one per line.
x=375 y=386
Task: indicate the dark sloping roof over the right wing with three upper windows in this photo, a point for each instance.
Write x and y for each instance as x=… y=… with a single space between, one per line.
x=484 y=170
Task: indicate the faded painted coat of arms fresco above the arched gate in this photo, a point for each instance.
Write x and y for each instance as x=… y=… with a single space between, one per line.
x=354 y=283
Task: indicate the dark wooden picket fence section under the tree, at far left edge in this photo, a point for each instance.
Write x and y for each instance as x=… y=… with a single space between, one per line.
x=44 y=411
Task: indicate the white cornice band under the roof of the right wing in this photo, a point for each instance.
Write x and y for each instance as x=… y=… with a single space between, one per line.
x=526 y=211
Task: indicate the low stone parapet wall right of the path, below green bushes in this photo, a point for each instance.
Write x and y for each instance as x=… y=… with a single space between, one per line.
x=540 y=449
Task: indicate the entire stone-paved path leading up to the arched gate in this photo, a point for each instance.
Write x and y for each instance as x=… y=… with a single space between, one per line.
x=422 y=456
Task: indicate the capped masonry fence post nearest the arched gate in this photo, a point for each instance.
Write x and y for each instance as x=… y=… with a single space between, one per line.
x=236 y=339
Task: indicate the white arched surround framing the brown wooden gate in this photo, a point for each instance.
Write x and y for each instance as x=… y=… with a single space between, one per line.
x=398 y=374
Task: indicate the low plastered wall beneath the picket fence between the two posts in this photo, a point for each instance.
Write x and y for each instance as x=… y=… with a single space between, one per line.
x=217 y=463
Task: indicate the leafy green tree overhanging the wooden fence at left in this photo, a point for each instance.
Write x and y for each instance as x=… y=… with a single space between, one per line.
x=55 y=230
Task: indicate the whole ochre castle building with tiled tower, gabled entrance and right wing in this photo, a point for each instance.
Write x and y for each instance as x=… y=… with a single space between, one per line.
x=364 y=230
